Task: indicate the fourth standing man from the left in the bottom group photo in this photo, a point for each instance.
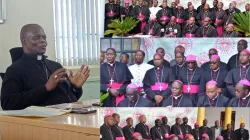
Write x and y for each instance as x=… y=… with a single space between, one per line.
x=142 y=128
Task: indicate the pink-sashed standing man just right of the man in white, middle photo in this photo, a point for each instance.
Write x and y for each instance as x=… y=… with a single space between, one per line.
x=157 y=80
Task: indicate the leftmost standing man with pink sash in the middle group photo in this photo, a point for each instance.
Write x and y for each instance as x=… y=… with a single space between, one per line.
x=115 y=77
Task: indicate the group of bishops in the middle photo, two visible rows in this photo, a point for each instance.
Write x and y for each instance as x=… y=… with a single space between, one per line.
x=180 y=83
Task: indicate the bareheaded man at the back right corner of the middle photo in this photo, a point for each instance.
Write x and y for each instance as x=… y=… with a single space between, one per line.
x=233 y=62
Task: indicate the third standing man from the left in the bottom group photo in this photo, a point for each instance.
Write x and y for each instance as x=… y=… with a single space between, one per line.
x=128 y=130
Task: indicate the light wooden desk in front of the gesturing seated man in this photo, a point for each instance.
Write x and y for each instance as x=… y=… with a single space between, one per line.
x=64 y=127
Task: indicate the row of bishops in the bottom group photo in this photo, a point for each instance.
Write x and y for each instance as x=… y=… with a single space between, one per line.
x=111 y=130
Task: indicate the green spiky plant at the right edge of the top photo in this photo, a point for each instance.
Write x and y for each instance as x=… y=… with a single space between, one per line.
x=242 y=23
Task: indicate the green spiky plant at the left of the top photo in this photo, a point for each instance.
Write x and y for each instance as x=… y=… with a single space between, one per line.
x=121 y=27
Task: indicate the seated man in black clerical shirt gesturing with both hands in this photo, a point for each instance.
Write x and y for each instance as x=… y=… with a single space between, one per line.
x=35 y=80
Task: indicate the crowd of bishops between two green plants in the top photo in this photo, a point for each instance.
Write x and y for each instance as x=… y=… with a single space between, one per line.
x=175 y=21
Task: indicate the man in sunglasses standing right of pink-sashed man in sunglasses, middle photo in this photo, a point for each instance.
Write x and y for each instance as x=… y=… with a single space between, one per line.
x=215 y=73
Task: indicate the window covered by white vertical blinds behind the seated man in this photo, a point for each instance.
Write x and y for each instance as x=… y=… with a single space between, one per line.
x=78 y=29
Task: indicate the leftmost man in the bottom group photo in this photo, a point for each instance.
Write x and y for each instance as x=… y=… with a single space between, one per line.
x=105 y=129
